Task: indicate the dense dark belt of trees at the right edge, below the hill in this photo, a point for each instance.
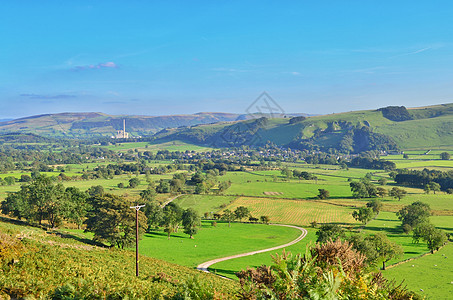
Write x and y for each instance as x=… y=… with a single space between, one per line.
x=425 y=177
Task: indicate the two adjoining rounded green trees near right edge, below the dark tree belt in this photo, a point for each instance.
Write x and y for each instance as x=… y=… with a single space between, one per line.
x=415 y=218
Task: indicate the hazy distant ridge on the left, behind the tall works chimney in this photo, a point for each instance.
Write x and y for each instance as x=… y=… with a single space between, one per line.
x=90 y=124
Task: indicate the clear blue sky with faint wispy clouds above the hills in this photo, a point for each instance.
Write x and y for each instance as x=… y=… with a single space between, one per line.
x=173 y=57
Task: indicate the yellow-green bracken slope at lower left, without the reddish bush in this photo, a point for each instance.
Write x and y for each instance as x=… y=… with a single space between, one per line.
x=35 y=263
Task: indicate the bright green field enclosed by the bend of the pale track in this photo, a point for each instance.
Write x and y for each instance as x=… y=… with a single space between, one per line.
x=214 y=242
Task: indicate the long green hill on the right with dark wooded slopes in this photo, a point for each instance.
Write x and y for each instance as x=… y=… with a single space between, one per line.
x=388 y=128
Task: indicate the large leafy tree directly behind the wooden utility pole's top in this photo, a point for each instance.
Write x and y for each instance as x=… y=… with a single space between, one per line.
x=113 y=221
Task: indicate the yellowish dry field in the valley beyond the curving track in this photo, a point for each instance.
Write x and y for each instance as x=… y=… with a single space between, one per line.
x=295 y=212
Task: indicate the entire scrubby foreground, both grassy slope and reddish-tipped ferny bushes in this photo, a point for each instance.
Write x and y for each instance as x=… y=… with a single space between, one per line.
x=51 y=265
